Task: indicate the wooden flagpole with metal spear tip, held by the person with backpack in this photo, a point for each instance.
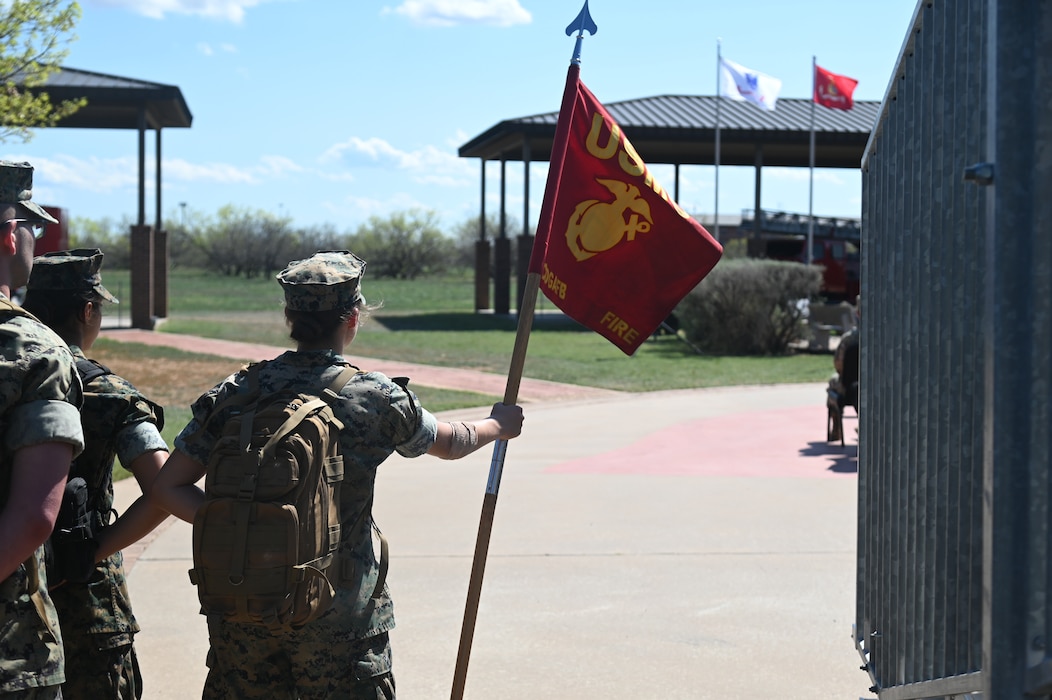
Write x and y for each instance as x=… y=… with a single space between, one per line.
x=581 y=25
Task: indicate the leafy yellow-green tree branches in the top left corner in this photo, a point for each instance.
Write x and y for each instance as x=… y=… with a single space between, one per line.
x=34 y=35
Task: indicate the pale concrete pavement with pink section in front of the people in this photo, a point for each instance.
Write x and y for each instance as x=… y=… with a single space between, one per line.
x=676 y=545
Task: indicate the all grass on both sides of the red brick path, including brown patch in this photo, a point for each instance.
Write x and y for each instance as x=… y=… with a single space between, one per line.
x=429 y=322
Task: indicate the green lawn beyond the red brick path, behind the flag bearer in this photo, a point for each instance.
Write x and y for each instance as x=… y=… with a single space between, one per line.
x=433 y=322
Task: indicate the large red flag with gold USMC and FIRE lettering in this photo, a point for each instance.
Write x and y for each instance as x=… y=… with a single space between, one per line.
x=613 y=249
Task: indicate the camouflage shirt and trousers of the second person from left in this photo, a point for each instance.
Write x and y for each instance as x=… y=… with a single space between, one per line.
x=97 y=621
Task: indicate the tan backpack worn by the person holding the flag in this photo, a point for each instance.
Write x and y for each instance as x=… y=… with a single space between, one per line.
x=268 y=534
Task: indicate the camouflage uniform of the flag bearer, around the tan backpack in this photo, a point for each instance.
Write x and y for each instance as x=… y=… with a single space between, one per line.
x=345 y=654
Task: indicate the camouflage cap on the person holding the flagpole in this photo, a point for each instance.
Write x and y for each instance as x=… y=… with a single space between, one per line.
x=330 y=281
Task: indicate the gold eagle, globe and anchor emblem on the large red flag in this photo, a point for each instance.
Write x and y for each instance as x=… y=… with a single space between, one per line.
x=597 y=226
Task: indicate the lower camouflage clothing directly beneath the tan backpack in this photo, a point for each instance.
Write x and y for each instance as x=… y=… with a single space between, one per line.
x=249 y=663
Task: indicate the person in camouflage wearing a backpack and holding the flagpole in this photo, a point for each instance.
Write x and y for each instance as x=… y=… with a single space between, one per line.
x=346 y=654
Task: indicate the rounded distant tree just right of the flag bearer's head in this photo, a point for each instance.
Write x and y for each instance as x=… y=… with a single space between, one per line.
x=404 y=246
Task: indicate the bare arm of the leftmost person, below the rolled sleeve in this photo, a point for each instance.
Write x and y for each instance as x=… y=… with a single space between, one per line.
x=38 y=479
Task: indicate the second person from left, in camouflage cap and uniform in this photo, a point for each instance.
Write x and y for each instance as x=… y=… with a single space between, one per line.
x=118 y=423
